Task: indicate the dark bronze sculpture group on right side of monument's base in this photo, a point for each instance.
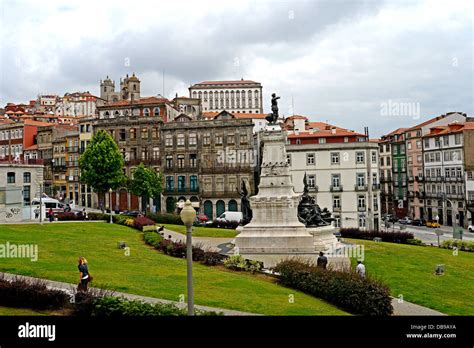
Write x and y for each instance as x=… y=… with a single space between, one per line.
x=309 y=212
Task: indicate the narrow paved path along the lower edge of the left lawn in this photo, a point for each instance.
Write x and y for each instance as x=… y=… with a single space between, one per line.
x=70 y=289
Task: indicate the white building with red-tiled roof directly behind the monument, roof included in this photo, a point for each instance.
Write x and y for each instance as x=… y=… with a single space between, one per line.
x=341 y=168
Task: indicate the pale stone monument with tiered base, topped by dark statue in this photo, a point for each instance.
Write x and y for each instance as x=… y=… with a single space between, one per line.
x=276 y=231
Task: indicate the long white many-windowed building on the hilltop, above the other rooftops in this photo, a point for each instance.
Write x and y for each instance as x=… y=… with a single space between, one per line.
x=237 y=96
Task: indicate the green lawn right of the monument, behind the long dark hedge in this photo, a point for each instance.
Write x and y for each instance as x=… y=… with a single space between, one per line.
x=409 y=271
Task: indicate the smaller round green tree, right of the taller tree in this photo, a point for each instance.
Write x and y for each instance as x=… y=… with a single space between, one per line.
x=146 y=182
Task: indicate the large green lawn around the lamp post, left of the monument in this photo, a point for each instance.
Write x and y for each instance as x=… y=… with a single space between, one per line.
x=146 y=271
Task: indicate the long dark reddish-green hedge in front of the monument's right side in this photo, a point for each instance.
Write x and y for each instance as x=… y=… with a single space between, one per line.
x=347 y=290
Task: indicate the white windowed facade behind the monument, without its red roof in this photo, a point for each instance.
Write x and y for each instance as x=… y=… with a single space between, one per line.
x=343 y=177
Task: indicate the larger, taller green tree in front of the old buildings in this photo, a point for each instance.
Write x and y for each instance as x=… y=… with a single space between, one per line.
x=102 y=164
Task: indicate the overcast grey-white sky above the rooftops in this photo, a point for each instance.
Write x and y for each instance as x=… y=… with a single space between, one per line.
x=353 y=63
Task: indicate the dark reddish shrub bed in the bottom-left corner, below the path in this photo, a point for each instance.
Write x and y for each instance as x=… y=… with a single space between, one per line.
x=31 y=294
